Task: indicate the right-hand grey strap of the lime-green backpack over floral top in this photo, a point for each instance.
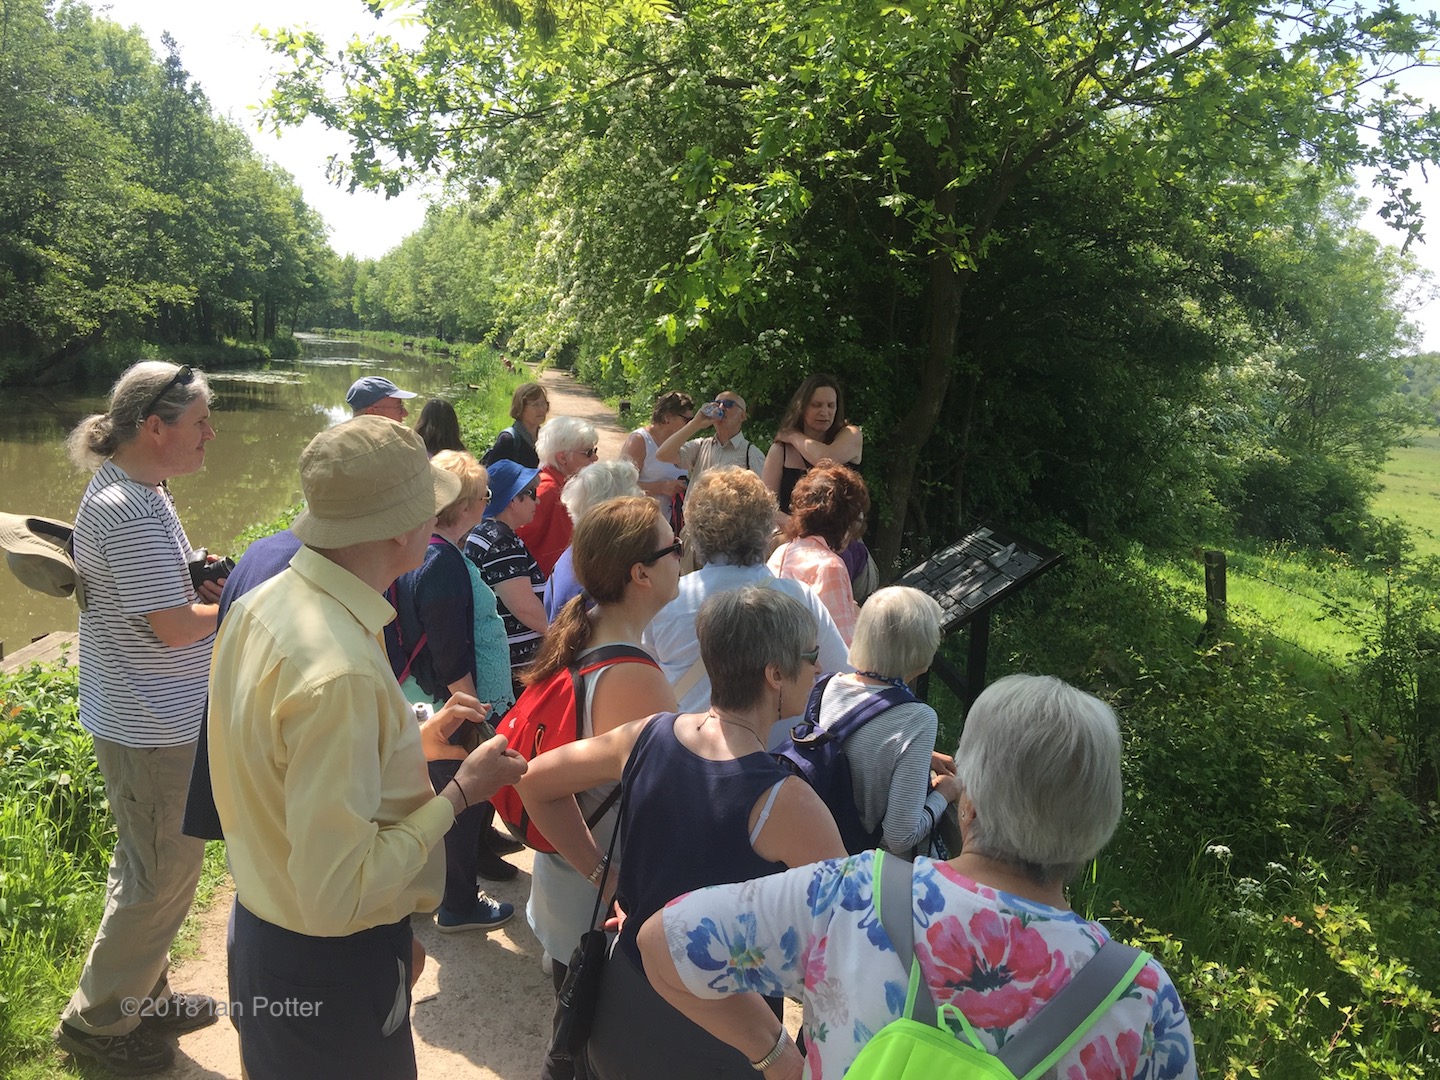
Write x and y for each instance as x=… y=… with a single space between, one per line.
x=1079 y=1004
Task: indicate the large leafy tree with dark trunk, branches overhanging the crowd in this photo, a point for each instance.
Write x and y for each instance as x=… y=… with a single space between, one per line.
x=909 y=130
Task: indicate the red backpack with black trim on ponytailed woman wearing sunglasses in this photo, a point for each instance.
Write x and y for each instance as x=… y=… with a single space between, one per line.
x=551 y=715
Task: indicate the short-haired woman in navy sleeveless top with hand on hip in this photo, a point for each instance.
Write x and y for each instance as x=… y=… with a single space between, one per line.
x=703 y=803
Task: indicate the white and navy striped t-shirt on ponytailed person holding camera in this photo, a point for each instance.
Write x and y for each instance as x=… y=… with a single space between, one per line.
x=132 y=552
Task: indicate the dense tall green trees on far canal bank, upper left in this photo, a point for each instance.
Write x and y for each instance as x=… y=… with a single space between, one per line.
x=127 y=210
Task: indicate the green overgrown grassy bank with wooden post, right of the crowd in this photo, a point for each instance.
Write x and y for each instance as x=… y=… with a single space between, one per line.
x=1281 y=834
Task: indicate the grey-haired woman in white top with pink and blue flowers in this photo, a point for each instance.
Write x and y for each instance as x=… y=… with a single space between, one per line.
x=1040 y=770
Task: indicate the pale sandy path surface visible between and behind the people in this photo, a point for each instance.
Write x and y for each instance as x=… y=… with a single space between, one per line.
x=483 y=1006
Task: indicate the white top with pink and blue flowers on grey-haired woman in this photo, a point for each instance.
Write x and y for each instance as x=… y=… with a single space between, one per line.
x=999 y=958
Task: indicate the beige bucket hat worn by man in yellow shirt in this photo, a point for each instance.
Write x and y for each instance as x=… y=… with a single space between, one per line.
x=365 y=480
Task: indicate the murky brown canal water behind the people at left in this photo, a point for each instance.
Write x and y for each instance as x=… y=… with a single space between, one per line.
x=264 y=415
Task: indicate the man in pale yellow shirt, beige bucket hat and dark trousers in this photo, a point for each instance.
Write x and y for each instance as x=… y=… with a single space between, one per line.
x=332 y=829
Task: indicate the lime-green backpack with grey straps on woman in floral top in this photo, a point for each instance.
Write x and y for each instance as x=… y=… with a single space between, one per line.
x=918 y=1046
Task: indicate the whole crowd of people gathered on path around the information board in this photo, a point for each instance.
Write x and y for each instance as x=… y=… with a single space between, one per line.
x=329 y=711
